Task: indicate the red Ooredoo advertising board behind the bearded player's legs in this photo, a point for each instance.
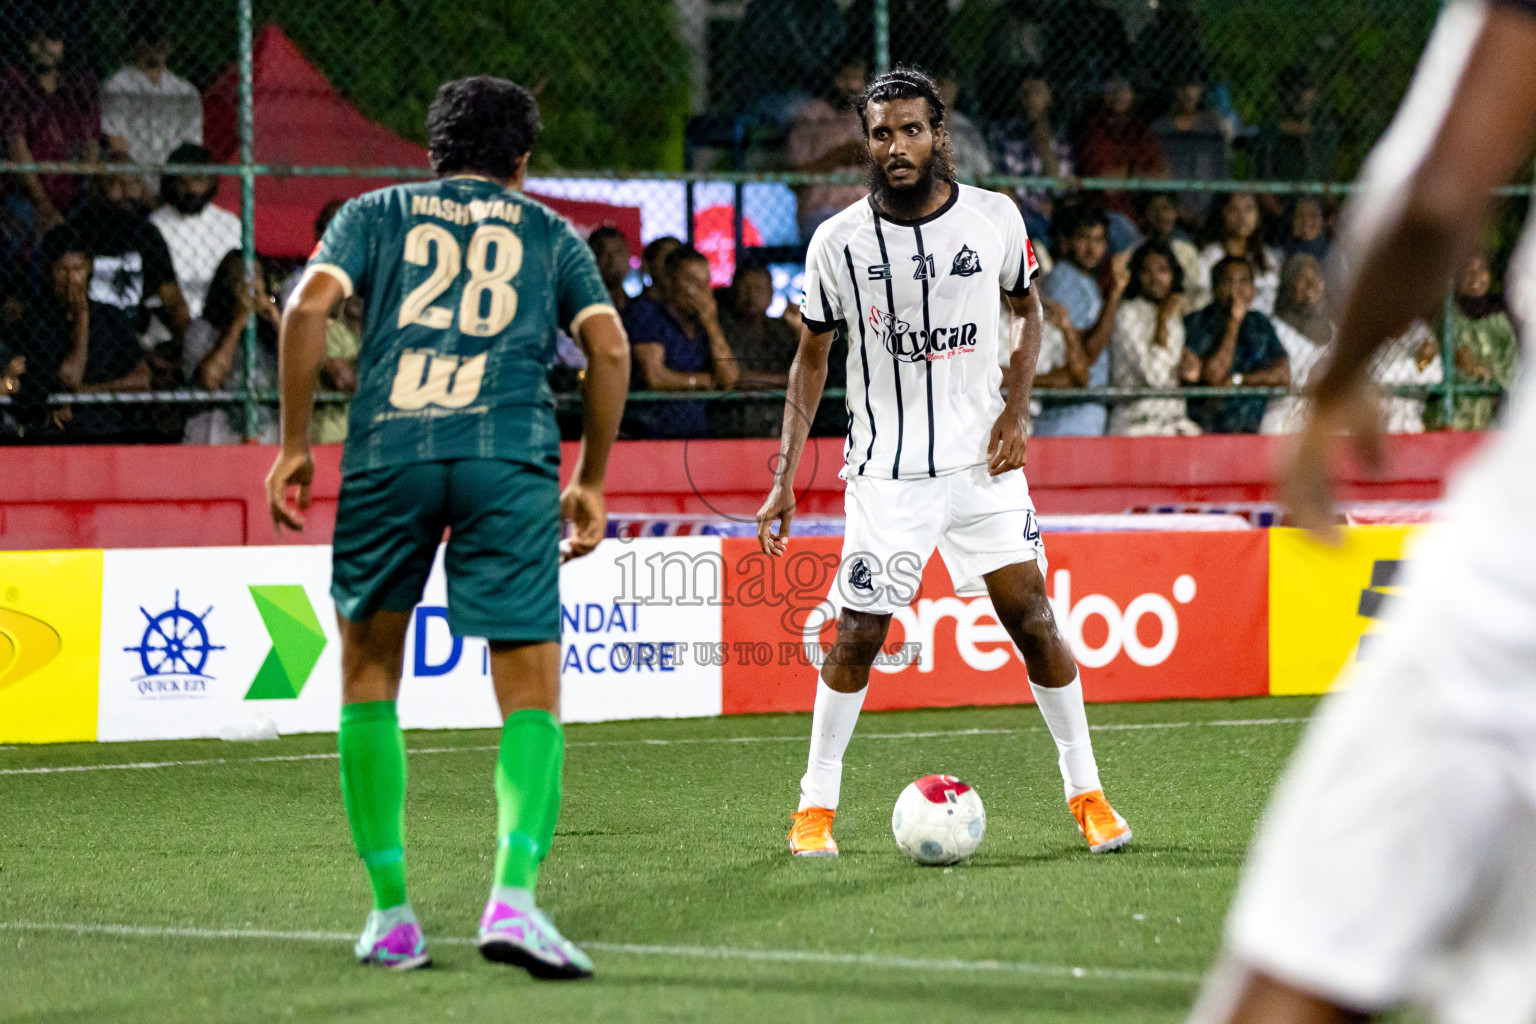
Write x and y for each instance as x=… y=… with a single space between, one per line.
x=1150 y=616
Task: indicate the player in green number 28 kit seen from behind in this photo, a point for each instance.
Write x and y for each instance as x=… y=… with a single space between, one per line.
x=466 y=282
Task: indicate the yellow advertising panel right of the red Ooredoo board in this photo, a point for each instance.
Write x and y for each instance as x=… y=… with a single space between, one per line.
x=1323 y=600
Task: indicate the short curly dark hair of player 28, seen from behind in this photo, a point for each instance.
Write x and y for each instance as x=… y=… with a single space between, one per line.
x=482 y=125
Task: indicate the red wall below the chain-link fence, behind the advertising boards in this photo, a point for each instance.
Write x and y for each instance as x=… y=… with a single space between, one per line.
x=153 y=497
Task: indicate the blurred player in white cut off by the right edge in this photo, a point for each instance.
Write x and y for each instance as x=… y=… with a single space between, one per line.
x=1397 y=864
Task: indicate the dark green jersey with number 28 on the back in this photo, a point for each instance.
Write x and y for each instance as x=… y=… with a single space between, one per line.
x=465 y=283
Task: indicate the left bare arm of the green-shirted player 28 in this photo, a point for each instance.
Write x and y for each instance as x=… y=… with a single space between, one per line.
x=302 y=349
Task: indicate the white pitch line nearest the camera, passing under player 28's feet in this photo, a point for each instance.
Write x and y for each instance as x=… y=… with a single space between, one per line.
x=635 y=950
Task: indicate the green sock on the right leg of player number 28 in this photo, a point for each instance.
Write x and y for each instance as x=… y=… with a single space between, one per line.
x=528 y=794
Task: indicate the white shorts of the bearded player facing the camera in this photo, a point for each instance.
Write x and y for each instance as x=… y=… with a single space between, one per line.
x=978 y=521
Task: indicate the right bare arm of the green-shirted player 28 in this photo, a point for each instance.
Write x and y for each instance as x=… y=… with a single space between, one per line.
x=604 y=391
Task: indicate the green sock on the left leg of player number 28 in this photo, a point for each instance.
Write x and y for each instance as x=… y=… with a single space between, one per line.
x=374 y=790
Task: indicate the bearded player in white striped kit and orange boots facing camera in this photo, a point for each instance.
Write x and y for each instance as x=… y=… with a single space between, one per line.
x=915 y=277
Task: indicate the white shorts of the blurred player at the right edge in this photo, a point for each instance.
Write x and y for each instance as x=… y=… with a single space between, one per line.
x=1397 y=860
